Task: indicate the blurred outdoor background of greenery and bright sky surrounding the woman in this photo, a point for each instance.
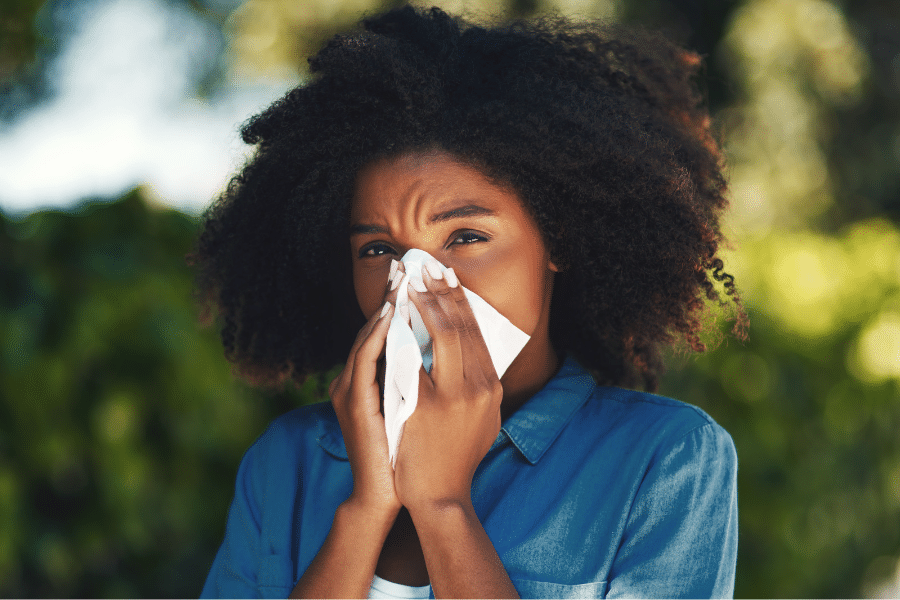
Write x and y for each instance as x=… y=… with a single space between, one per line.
x=121 y=426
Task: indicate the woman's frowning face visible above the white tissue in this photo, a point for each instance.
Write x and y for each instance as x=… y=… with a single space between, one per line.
x=495 y=249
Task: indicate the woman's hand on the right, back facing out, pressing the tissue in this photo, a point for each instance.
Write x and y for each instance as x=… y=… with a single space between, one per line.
x=457 y=417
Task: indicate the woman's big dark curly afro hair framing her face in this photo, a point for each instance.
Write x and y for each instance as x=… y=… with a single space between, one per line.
x=599 y=128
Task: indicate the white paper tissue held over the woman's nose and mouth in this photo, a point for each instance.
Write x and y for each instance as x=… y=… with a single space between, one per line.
x=409 y=348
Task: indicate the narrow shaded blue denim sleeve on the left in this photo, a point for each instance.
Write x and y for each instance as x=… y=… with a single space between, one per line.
x=234 y=569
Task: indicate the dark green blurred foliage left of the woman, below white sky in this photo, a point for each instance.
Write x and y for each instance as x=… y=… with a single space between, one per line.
x=121 y=427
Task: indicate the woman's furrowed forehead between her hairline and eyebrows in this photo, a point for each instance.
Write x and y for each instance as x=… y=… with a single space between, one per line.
x=416 y=180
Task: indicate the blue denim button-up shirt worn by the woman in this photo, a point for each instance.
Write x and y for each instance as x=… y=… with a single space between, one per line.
x=587 y=491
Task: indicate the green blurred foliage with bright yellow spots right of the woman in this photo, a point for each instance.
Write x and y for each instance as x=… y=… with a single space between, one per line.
x=811 y=402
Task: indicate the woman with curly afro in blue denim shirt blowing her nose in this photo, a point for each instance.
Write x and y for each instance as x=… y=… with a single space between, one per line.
x=566 y=174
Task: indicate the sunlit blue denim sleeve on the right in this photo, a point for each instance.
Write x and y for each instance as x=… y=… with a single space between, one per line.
x=680 y=539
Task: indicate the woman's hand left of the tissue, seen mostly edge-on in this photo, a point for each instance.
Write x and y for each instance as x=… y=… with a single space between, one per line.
x=356 y=396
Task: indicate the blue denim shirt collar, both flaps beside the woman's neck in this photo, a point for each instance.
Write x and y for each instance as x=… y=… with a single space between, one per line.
x=531 y=429
